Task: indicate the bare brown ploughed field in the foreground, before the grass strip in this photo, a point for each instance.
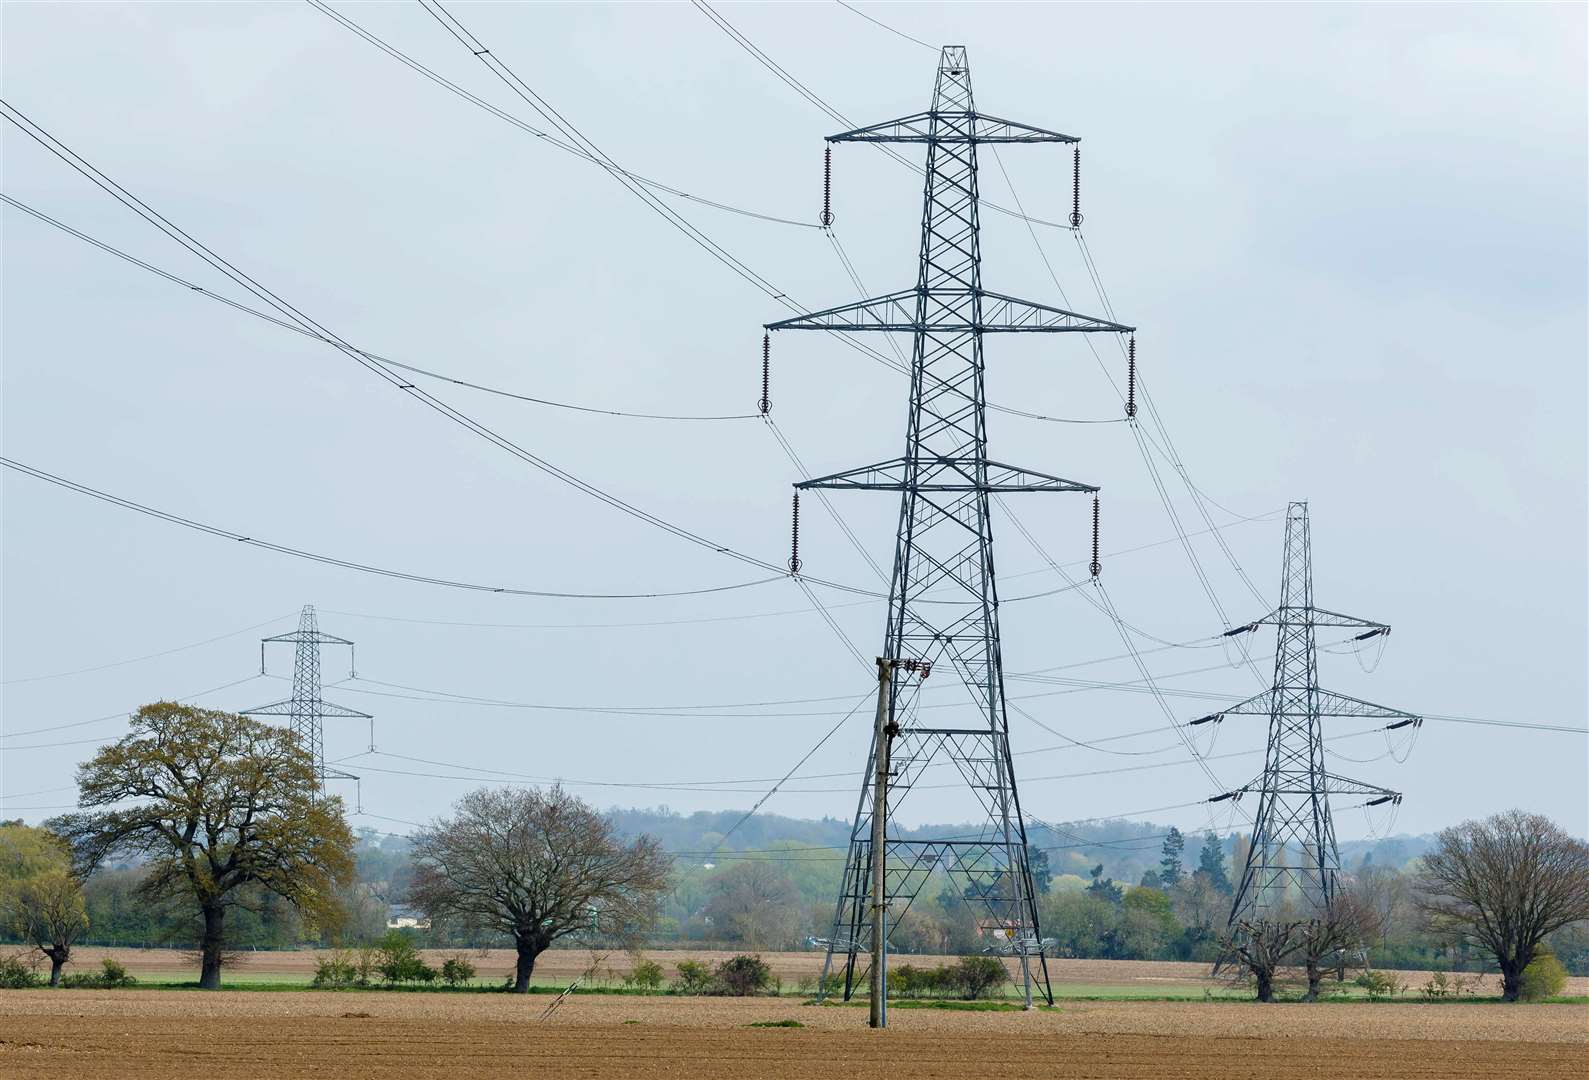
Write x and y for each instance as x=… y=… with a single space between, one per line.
x=236 y=1036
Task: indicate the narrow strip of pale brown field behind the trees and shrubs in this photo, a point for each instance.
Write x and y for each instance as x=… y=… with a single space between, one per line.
x=563 y=965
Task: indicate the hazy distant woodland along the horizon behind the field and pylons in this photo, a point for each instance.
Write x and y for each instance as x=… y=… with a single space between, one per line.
x=1118 y=890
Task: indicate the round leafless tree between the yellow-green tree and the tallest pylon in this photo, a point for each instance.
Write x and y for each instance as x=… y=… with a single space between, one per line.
x=536 y=866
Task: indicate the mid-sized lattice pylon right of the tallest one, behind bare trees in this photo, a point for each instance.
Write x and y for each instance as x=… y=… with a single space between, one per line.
x=1294 y=862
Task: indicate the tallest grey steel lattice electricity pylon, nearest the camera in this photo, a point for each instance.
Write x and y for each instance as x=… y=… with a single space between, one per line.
x=943 y=604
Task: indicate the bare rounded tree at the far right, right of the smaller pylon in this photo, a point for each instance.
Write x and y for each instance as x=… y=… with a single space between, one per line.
x=1506 y=884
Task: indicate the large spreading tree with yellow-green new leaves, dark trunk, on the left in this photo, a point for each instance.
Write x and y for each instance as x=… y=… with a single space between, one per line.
x=215 y=804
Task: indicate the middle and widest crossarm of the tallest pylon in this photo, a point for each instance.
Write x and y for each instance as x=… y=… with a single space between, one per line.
x=949 y=312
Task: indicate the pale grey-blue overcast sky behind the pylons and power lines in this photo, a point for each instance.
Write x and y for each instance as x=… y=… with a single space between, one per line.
x=1353 y=241
